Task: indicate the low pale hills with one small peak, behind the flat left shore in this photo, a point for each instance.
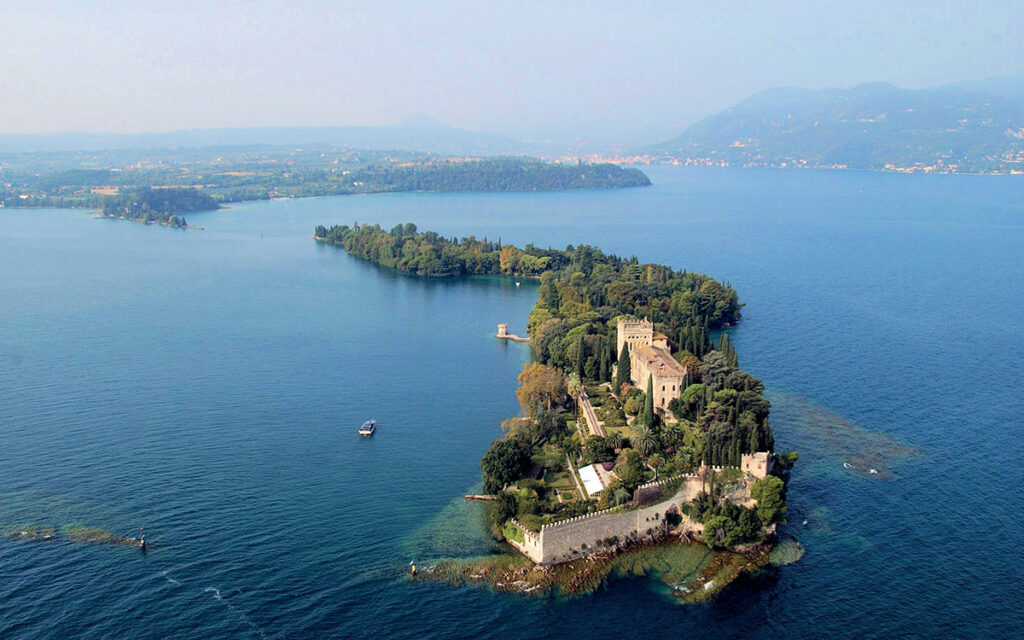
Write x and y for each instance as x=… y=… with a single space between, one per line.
x=416 y=135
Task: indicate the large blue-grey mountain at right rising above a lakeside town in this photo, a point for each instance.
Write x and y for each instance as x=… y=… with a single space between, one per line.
x=870 y=126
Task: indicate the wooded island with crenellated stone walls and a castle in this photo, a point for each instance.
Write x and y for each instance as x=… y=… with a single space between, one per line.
x=639 y=433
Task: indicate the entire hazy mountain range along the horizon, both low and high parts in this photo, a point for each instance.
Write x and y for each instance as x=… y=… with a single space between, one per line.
x=970 y=127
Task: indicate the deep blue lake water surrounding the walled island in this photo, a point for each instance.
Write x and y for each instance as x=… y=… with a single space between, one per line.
x=206 y=386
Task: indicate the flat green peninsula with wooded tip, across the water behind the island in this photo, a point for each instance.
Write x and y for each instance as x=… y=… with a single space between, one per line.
x=177 y=183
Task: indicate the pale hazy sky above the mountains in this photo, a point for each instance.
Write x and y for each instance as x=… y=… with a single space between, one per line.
x=513 y=67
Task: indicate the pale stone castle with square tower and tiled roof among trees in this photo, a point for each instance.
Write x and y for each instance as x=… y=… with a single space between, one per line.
x=650 y=357
